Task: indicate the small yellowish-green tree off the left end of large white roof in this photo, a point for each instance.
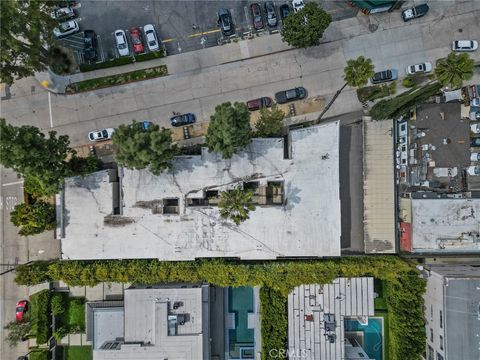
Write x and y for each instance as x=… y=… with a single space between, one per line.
x=33 y=218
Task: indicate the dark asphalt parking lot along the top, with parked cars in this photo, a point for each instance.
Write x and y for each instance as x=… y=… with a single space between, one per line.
x=181 y=25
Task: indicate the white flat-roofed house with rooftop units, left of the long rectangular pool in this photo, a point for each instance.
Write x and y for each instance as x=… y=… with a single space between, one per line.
x=161 y=323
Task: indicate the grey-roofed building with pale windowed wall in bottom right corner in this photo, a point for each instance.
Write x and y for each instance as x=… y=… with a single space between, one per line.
x=452 y=312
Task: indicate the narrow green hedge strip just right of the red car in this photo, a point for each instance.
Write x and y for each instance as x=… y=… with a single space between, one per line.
x=40 y=316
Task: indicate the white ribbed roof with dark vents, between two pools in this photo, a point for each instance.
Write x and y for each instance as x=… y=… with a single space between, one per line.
x=310 y=305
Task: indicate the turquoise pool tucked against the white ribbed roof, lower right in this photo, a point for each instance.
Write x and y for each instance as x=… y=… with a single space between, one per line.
x=373 y=335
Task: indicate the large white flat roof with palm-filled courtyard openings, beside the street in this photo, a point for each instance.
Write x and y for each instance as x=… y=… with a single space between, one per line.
x=174 y=216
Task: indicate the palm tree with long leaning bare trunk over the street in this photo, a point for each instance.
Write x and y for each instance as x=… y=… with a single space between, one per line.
x=356 y=74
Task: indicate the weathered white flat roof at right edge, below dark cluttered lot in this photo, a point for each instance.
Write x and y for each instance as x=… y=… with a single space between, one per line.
x=446 y=225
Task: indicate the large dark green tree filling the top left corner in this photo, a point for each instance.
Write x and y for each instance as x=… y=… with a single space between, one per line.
x=25 y=34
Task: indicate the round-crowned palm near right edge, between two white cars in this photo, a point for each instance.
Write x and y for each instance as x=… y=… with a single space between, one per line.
x=454 y=69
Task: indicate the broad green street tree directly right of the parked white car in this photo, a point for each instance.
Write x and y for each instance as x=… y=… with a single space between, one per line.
x=139 y=148
